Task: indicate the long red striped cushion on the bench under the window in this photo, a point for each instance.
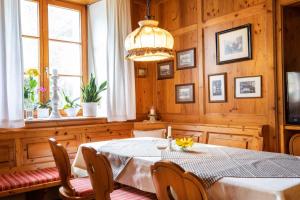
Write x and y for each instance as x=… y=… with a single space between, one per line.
x=28 y=178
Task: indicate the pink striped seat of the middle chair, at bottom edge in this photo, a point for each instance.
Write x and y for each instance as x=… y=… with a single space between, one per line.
x=126 y=193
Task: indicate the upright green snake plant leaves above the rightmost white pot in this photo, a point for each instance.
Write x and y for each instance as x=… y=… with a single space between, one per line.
x=90 y=92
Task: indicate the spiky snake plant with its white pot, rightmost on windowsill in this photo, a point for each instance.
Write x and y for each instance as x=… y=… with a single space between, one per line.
x=91 y=96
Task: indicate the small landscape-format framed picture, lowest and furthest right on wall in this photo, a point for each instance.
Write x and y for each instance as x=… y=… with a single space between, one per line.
x=248 y=87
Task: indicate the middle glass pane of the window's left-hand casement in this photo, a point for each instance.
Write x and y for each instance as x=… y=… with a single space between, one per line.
x=30 y=53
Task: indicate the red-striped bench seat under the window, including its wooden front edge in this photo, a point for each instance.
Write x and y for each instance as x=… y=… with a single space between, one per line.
x=26 y=181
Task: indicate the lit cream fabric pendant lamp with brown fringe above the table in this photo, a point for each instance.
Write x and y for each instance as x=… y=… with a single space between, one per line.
x=149 y=42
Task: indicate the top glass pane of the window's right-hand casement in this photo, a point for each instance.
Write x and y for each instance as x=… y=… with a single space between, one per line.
x=64 y=24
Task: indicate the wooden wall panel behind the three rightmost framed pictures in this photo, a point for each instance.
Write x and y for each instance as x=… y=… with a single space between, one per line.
x=255 y=111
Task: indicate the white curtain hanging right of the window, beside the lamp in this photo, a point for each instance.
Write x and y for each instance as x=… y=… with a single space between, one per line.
x=120 y=72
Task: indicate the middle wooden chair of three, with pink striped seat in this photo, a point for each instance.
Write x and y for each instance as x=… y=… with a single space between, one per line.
x=101 y=176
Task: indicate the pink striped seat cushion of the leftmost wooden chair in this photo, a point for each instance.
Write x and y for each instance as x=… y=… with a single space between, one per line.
x=82 y=186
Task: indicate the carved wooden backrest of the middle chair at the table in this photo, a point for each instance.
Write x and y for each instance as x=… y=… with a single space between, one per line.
x=100 y=172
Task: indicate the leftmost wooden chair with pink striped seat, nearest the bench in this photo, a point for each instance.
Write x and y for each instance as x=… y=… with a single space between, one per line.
x=71 y=189
